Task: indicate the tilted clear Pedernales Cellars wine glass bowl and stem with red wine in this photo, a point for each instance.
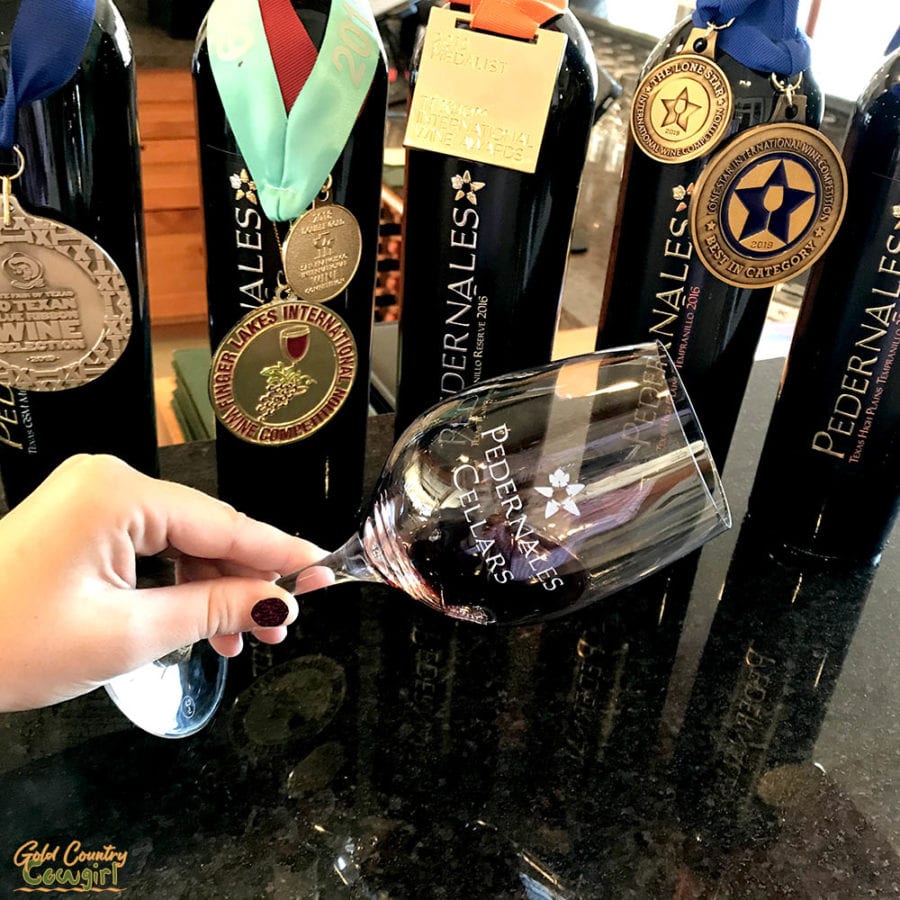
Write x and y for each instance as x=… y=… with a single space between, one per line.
x=536 y=493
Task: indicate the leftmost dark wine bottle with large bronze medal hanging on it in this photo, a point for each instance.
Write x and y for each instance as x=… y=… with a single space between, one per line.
x=75 y=351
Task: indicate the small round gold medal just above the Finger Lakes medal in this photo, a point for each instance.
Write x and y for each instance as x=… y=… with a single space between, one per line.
x=321 y=252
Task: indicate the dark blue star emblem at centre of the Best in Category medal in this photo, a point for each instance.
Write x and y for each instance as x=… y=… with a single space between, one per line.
x=779 y=208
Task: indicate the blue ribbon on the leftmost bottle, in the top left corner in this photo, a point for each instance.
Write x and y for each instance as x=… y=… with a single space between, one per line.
x=47 y=44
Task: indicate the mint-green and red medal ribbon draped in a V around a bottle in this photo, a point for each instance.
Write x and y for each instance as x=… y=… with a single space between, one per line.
x=291 y=109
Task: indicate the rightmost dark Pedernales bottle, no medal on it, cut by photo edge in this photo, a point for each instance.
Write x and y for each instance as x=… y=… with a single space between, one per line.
x=829 y=480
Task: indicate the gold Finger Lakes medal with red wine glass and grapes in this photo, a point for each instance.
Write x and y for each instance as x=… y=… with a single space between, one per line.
x=282 y=372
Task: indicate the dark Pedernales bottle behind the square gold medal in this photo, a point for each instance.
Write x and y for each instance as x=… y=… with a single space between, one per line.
x=506 y=253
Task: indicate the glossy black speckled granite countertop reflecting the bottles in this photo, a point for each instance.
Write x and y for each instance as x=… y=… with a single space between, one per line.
x=728 y=730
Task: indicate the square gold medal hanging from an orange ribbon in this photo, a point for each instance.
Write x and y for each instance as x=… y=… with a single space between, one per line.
x=469 y=100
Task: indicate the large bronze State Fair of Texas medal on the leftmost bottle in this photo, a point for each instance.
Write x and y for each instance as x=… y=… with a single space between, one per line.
x=65 y=309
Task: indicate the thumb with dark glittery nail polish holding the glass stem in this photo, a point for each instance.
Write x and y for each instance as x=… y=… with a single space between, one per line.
x=172 y=617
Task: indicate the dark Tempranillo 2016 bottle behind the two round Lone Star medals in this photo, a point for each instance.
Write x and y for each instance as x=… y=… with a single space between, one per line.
x=658 y=289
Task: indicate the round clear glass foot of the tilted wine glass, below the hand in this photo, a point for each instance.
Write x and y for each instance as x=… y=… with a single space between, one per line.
x=175 y=696
